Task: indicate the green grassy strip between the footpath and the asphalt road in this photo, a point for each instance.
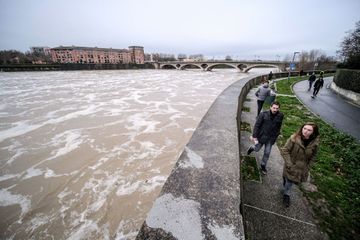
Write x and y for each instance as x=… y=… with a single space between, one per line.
x=336 y=173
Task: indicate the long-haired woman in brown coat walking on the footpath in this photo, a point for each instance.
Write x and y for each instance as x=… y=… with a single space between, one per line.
x=299 y=155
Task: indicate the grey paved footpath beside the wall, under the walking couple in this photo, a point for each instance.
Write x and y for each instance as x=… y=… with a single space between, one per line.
x=264 y=213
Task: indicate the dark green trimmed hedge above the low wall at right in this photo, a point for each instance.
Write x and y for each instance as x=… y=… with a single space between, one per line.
x=348 y=79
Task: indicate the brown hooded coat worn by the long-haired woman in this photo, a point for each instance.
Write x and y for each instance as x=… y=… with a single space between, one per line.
x=298 y=158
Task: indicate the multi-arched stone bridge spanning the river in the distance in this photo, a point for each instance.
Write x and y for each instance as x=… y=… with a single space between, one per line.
x=243 y=66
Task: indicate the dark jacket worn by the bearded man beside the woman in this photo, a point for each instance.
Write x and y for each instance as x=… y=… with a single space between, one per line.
x=267 y=128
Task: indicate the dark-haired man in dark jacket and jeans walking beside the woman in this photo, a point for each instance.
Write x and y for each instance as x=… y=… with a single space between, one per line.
x=266 y=130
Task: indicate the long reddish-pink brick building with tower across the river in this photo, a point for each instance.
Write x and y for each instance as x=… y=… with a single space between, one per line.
x=74 y=54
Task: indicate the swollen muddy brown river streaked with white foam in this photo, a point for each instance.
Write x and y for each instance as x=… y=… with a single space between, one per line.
x=83 y=154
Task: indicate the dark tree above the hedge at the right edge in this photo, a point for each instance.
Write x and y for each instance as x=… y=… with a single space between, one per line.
x=350 y=49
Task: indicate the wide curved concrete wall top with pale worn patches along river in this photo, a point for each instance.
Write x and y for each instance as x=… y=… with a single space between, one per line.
x=201 y=199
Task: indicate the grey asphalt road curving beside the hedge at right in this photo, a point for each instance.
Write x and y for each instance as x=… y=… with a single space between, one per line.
x=331 y=107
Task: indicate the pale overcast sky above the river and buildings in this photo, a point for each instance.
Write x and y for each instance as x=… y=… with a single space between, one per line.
x=244 y=29
